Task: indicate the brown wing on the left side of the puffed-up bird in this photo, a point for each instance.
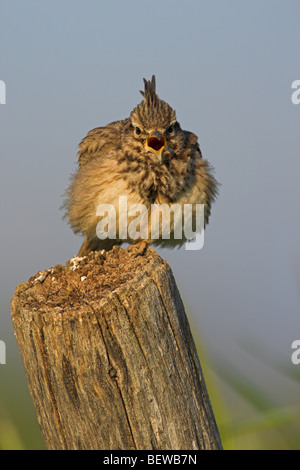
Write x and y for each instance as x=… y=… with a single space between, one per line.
x=99 y=142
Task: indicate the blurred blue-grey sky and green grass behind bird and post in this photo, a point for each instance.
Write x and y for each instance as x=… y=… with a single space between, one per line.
x=227 y=69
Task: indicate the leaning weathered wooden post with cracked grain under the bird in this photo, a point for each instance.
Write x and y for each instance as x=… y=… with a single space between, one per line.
x=109 y=356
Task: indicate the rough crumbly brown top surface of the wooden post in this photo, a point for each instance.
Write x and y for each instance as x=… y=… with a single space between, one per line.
x=91 y=277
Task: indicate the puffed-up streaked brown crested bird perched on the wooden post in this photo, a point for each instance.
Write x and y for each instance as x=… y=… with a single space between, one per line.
x=146 y=157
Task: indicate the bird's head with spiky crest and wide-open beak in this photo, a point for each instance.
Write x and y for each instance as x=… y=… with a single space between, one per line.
x=153 y=124
